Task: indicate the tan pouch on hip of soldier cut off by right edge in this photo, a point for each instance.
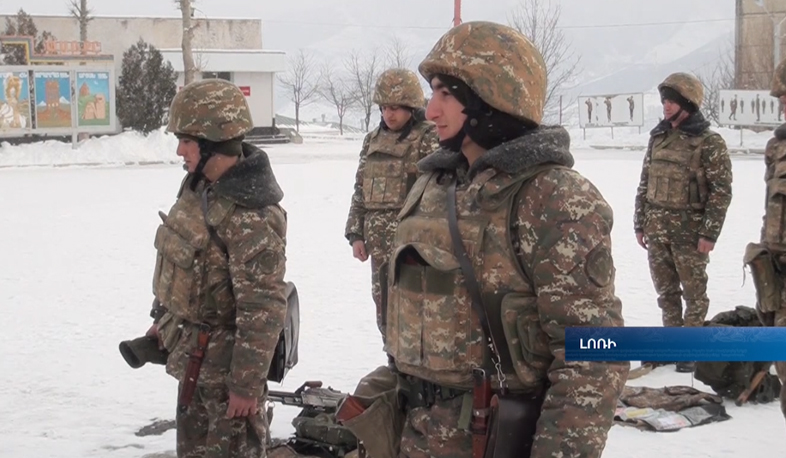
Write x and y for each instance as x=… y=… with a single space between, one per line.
x=766 y=274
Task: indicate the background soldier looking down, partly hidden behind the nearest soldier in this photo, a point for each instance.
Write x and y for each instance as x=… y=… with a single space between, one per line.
x=386 y=170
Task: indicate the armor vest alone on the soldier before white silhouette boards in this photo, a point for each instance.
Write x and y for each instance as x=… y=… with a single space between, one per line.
x=676 y=176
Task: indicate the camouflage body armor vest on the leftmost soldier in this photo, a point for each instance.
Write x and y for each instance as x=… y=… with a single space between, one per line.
x=191 y=277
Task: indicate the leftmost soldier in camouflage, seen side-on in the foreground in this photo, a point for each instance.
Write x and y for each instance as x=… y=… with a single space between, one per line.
x=220 y=268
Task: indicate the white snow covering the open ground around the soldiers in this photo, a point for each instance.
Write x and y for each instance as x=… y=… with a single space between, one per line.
x=77 y=266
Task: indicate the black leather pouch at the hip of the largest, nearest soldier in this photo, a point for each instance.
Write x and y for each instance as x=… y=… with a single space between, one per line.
x=512 y=424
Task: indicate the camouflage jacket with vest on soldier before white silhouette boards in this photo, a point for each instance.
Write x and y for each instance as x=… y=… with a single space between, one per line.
x=685 y=186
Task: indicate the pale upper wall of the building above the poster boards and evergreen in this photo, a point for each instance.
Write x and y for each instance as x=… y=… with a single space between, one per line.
x=117 y=34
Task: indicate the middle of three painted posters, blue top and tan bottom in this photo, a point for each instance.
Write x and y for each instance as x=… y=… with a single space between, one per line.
x=52 y=99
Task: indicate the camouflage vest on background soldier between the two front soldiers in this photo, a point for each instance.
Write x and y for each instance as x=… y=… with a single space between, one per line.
x=391 y=168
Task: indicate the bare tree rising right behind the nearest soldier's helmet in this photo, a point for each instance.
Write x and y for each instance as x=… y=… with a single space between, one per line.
x=539 y=20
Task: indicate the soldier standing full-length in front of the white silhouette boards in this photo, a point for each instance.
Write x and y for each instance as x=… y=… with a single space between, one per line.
x=681 y=202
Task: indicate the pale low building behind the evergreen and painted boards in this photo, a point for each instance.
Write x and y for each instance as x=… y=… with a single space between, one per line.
x=225 y=48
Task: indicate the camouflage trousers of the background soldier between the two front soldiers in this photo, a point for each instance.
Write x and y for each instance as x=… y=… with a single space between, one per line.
x=380 y=229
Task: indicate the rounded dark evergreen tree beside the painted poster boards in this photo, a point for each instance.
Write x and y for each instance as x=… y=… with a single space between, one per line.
x=146 y=88
